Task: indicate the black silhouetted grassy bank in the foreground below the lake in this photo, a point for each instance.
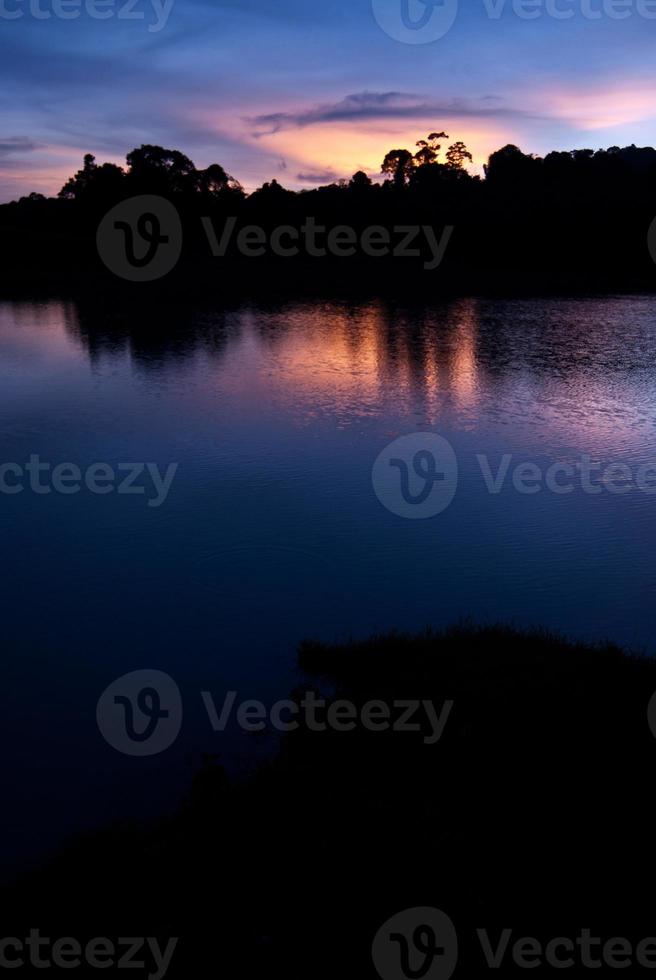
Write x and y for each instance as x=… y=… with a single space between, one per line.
x=530 y=808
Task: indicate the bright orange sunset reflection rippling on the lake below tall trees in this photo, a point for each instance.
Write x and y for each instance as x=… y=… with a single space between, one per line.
x=349 y=361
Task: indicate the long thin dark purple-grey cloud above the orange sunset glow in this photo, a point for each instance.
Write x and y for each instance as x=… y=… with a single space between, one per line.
x=378 y=105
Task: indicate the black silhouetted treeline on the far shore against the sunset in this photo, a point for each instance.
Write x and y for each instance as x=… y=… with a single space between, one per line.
x=569 y=221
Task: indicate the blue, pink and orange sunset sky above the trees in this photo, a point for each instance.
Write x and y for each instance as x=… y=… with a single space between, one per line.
x=309 y=92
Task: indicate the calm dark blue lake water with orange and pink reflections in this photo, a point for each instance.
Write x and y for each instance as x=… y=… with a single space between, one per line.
x=272 y=530
